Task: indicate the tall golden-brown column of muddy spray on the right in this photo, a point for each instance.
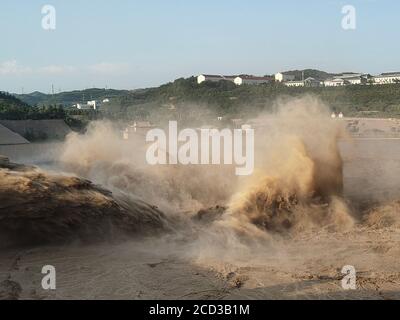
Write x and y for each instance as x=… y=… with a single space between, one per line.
x=298 y=181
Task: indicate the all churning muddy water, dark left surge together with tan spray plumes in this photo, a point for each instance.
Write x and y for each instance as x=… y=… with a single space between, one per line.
x=297 y=185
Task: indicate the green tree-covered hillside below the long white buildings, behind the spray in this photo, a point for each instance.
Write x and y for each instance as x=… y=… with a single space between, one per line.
x=187 y=98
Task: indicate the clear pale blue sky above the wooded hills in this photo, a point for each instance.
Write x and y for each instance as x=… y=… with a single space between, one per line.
x=133 y=44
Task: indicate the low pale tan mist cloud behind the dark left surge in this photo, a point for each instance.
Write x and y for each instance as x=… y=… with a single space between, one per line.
x=102 y=156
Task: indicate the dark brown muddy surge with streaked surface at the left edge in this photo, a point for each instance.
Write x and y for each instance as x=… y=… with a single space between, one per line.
x=42 y=207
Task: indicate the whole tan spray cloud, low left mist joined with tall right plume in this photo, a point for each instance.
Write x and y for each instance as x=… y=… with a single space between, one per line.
x=297 y=184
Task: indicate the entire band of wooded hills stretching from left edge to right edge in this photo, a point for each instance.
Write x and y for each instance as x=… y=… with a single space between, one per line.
x=184 y=99
